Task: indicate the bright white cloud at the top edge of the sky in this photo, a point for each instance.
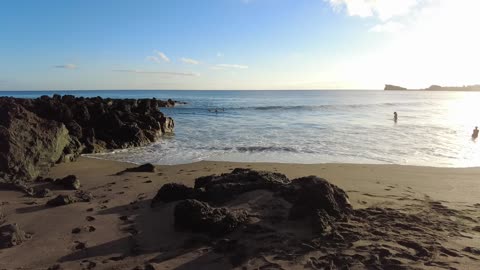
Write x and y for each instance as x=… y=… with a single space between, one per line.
x=383 y=9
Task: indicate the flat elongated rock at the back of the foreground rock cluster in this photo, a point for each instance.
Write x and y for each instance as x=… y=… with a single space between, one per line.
x=224 y=187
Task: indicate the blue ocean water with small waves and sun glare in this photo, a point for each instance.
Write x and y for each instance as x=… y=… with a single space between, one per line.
x=356 y=126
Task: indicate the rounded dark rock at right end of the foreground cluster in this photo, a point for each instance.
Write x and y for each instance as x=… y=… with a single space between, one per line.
x=312 y=194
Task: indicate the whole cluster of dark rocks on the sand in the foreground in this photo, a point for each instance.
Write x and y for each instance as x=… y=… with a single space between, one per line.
x=272 y=198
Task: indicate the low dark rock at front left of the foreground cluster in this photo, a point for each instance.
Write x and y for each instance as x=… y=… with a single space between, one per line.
x=199 y=216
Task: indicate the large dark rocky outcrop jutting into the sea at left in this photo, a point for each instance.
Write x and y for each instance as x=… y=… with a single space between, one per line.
x=36 y=133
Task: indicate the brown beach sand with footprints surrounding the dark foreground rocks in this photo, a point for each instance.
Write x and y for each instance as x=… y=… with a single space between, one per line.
x=119 y=230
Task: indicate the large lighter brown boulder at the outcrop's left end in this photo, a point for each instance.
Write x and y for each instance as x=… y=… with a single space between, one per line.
x=29 y=145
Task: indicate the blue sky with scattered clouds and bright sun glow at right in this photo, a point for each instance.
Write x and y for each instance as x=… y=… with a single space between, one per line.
x=237 y=44
